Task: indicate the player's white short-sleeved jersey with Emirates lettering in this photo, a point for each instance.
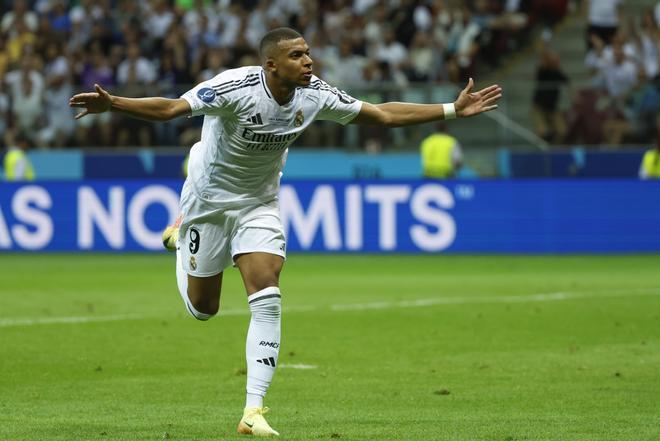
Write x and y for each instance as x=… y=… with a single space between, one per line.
x=246 y=132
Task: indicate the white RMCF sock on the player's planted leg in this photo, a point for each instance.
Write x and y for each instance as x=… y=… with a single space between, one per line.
x=263 y=343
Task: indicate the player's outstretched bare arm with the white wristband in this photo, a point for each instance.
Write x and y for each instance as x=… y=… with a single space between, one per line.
x=394 y=114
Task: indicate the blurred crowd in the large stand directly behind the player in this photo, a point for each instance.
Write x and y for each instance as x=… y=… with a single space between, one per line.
x=50 y=49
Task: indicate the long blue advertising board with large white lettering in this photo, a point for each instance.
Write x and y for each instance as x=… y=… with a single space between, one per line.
x=521 y=216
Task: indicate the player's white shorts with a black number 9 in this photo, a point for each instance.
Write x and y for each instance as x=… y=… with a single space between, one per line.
x=210 y=237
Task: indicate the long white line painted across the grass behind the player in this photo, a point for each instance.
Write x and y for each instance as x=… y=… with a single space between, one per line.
x=455 y=300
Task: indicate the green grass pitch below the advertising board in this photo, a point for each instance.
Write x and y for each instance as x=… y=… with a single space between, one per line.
x=99 y=347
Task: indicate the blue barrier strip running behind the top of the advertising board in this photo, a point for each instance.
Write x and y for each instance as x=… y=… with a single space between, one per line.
x=335 y=164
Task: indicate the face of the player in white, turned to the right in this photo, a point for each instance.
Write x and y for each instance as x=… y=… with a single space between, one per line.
x=293 y=62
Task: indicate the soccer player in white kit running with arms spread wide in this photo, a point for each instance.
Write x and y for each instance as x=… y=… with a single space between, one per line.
x=229 y=206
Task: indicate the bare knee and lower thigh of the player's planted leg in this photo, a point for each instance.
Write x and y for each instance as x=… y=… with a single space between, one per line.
x=259 y=270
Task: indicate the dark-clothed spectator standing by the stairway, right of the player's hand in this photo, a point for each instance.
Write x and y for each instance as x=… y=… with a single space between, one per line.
x=550 y=123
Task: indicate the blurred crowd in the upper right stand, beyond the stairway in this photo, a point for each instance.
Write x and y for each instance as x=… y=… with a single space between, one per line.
x=621 y=100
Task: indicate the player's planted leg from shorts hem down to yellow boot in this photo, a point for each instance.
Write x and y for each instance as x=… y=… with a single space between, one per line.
x=260 y=272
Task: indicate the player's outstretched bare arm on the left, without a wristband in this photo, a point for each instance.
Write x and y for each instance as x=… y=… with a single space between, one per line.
x=152 y=109
